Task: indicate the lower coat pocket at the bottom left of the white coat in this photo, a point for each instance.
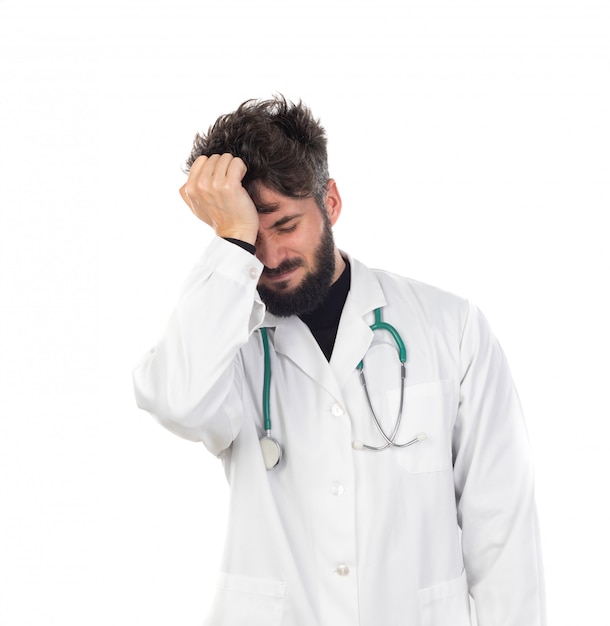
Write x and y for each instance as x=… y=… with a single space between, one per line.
x=246 y=601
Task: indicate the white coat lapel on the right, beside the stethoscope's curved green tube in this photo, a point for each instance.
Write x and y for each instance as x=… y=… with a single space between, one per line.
x=354 y=335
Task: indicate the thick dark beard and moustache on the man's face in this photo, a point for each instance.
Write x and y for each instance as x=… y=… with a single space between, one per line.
x=313 y=289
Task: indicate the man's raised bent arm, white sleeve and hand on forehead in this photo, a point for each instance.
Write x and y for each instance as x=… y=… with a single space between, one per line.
x=186 y=380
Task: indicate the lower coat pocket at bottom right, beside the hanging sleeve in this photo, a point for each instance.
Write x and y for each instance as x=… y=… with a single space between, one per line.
x=447 y=603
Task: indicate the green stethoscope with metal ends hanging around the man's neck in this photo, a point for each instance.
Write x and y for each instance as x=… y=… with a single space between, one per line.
x=270 y=447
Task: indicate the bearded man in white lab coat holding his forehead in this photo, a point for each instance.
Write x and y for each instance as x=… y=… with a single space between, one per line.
x=351 y=503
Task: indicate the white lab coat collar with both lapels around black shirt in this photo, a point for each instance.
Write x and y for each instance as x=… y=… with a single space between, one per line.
x=293 y=339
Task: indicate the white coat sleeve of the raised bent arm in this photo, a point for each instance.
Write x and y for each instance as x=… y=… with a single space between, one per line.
x=190 y=380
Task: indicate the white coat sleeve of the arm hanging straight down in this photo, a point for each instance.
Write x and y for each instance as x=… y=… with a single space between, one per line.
x=494 y=485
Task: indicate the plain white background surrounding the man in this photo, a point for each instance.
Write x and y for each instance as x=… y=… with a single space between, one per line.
x=470 y=141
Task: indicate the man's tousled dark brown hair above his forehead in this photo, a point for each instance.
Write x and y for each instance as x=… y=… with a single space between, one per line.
x=282 y=145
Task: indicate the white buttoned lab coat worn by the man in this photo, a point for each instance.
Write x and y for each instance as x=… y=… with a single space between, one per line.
x=339 y=536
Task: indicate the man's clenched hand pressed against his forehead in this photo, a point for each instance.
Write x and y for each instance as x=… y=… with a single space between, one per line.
x=214 y=193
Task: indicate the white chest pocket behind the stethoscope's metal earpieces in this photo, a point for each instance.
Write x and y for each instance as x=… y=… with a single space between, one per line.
x=428 y=410
